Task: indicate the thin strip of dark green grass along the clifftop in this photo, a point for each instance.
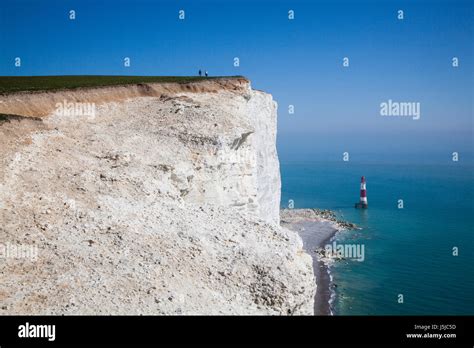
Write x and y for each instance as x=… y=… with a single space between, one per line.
x=12 y=84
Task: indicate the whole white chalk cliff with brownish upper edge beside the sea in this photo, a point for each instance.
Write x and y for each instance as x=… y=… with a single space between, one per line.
x=166 y=201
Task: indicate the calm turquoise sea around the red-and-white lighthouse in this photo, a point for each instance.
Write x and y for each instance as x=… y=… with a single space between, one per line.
x=408 y=251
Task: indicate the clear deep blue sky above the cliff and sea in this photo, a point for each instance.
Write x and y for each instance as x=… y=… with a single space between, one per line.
x=299 y=62
